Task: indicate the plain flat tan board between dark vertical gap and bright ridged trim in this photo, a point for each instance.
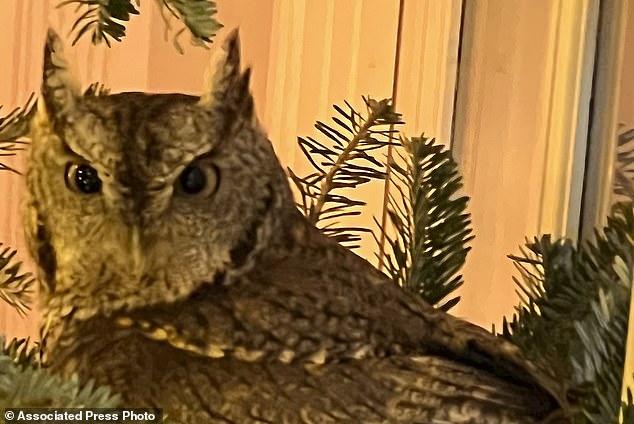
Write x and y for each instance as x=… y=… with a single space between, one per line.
x=500 y=141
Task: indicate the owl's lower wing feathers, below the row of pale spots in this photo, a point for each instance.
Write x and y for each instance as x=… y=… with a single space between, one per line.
x=196 y=389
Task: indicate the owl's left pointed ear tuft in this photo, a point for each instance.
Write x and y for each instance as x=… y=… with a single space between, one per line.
x=59 y=87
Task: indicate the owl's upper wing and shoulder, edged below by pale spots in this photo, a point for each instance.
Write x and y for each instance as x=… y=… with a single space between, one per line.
x=322 y=304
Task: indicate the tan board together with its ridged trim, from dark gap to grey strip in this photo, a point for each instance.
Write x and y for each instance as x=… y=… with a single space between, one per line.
x=519 y=133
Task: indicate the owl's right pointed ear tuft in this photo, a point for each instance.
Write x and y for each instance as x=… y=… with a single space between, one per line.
x=228 y=89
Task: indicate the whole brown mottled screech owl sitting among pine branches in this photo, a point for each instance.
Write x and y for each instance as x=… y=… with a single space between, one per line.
x=177 y=269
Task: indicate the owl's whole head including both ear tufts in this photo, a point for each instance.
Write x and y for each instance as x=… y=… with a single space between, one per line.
x=140 y=198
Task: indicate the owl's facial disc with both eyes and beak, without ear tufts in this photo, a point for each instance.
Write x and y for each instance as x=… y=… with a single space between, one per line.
x=151 y=214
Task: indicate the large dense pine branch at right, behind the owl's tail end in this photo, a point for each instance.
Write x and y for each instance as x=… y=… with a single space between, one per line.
x=574 y=316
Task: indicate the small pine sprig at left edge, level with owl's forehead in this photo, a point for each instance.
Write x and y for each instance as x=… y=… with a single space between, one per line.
x=13 y=128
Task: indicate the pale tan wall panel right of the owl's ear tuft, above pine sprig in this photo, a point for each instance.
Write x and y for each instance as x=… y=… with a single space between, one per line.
x=323 y=53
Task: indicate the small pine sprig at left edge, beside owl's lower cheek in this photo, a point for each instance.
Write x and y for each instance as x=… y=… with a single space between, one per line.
x=15 y=288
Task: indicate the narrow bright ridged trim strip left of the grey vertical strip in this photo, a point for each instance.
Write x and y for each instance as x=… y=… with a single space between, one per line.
x=571 y=67
